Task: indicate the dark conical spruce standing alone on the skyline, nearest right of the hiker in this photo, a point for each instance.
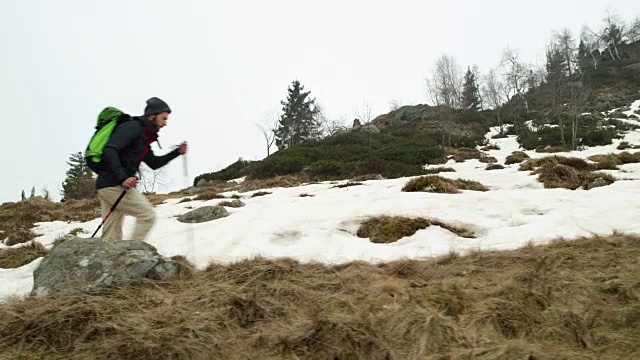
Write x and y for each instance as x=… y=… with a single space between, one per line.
x=298 y=122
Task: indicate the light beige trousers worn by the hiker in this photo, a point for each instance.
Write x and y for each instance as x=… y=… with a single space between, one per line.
x=133 y=204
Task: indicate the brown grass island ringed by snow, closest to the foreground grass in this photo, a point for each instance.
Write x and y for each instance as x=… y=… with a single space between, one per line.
x=388 y=229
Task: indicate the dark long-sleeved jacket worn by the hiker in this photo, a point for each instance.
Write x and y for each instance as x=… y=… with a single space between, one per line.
x=129 y=145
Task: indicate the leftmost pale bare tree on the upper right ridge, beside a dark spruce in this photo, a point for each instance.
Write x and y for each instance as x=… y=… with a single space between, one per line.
x=445 y=84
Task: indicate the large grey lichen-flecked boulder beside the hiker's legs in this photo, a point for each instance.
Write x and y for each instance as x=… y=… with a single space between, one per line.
x=94 y=265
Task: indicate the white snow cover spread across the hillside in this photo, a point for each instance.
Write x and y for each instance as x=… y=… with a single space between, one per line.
x=322 y=228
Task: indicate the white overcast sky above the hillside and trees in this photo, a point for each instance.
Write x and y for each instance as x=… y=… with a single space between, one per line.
x=222 y=64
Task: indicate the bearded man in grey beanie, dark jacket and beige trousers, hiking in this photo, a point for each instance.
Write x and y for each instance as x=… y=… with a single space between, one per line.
x=129 y=145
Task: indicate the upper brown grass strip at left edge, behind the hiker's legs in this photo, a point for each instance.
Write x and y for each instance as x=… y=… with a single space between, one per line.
x=17 y=219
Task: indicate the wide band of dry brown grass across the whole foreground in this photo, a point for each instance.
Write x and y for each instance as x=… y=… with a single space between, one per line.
x=566 y=300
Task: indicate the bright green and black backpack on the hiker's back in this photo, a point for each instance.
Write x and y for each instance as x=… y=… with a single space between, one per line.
x=108 y=119
